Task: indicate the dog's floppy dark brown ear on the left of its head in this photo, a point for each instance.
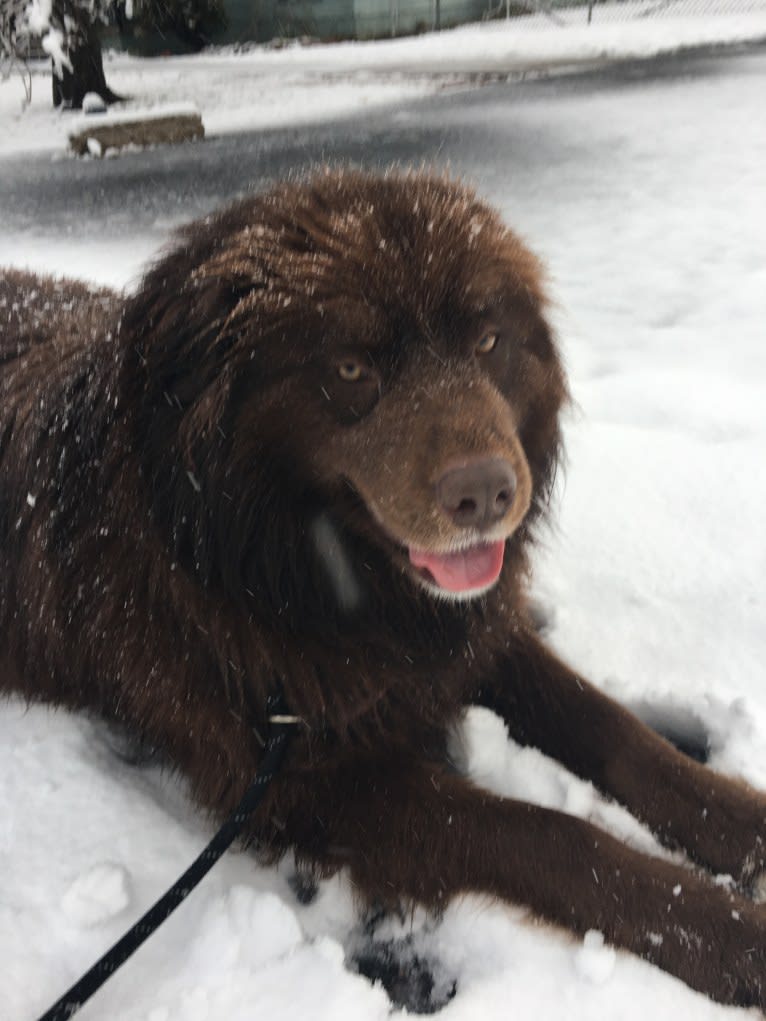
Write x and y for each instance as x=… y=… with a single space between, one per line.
x=178 y=347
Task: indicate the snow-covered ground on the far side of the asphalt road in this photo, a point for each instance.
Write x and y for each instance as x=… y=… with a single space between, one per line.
x=270 y=88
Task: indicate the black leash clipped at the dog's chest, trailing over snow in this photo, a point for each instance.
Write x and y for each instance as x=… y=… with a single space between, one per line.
x=94 y=979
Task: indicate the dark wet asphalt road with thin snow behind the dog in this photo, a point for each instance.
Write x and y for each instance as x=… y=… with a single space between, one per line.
x=471 y=129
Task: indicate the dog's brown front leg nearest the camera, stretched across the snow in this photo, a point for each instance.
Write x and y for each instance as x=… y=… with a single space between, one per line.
x=415 y=833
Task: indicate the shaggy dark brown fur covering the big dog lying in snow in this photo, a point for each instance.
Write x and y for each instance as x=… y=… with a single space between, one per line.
x=219 y=485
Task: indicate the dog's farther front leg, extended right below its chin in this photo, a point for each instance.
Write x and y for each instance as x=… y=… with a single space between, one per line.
x=721 y=822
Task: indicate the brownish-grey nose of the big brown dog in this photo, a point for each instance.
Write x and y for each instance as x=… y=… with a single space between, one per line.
x=480 y=494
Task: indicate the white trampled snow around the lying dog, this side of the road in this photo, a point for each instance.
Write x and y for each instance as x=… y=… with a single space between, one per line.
x=654 y=235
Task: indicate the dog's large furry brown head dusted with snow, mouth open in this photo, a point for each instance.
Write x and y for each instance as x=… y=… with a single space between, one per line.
x=373 y=351
